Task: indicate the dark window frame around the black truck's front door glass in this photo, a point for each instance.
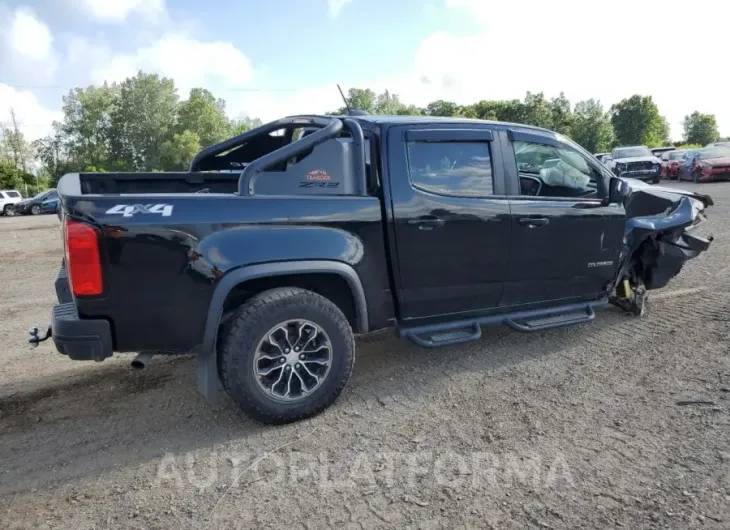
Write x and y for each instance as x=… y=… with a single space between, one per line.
x=557 y=141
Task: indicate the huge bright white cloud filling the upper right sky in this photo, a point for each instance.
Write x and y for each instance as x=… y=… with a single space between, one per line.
x=586 y=49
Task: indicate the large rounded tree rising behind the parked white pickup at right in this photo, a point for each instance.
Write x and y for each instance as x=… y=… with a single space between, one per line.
x=636 y=121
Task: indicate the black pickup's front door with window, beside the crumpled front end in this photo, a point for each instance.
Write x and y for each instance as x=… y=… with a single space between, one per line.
x=566 y=242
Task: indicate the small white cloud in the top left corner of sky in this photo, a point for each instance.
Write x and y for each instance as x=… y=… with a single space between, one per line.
x=28 y=42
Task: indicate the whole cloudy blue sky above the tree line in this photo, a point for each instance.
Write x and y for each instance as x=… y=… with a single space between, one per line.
x=268 y=58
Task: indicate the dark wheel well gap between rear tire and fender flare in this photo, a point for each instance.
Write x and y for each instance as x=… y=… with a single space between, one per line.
x=332 y=286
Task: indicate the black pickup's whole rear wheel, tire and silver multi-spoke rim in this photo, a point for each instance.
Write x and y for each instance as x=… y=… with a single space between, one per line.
x=287 y=355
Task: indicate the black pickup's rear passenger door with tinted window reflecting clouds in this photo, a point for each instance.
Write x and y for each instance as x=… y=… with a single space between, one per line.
x=451 y=219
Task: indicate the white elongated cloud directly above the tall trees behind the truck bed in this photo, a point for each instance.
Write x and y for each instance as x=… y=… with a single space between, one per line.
x=188 y=61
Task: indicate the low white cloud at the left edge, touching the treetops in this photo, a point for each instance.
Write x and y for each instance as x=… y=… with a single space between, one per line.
x=34 y=120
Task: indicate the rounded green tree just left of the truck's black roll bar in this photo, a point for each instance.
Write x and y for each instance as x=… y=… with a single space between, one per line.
x=204 y=115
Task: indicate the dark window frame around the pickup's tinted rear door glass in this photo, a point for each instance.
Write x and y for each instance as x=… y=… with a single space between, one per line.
x=454 y=134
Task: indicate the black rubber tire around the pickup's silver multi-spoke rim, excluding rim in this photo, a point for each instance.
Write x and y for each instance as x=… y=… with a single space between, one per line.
x=250 y=325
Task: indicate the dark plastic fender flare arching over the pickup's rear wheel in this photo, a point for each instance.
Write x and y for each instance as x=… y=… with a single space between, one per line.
x=281 y=268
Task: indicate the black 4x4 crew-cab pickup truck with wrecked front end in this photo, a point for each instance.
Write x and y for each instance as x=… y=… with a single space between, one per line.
x=282 y=243
